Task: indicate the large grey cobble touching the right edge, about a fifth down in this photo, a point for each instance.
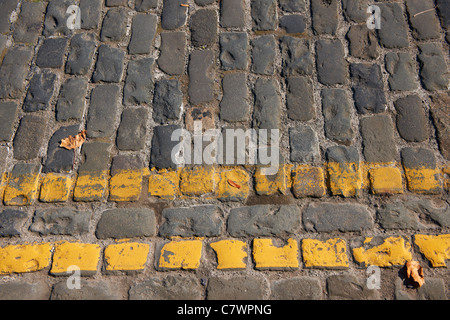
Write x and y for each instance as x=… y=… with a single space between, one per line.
x=433 y=72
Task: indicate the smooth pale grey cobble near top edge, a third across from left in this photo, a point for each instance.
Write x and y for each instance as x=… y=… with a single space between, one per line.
x=143 y=32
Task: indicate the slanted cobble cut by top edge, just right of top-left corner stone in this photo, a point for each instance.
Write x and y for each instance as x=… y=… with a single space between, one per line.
x=29 y=24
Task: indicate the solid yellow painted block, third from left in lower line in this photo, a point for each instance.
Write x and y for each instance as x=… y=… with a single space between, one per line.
x=129 y=256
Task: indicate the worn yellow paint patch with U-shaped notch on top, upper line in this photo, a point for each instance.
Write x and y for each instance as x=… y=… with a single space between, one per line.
x=272 y=184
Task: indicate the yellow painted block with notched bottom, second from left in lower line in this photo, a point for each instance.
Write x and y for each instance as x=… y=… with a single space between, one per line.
x=83 y=255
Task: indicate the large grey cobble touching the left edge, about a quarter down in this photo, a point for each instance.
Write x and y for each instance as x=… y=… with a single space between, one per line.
x=13 y=72
